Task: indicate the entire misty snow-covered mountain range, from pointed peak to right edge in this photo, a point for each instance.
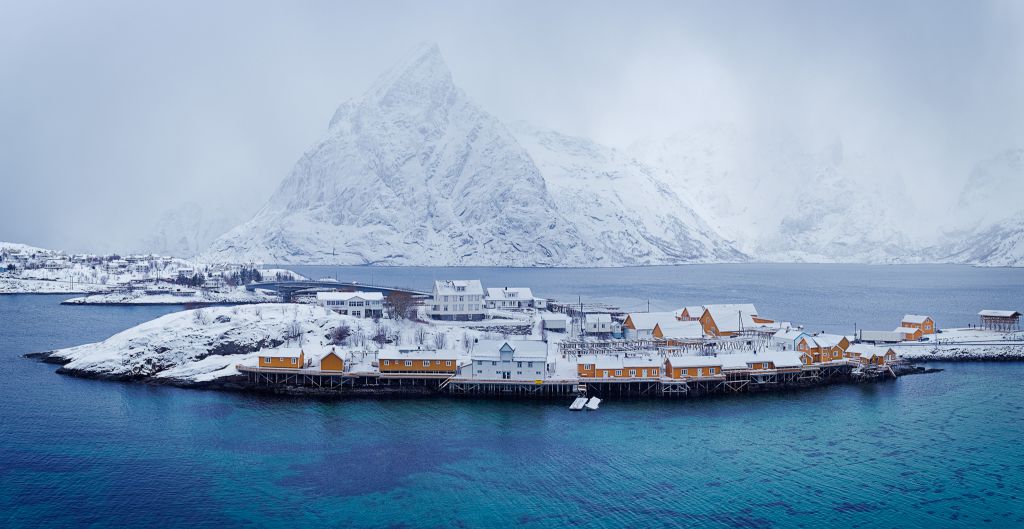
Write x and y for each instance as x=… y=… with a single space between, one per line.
x=415 y=173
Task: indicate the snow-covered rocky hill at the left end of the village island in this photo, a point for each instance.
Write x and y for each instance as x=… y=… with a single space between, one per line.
x=201 y=345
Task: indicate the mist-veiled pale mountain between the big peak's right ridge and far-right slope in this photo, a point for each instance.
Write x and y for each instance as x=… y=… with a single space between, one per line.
x=782 y=200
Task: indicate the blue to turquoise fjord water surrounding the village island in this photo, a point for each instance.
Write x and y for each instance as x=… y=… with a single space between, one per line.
x=936 y=451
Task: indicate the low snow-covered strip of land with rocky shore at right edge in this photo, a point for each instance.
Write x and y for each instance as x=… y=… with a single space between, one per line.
x=965 y=344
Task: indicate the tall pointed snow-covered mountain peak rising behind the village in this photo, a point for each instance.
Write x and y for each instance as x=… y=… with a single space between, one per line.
x=414 y=173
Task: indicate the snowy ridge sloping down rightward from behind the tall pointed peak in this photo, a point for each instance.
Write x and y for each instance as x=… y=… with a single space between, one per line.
x=611 y=196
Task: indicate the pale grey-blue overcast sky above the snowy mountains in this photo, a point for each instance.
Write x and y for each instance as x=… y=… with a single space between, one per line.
x=112 y=113
